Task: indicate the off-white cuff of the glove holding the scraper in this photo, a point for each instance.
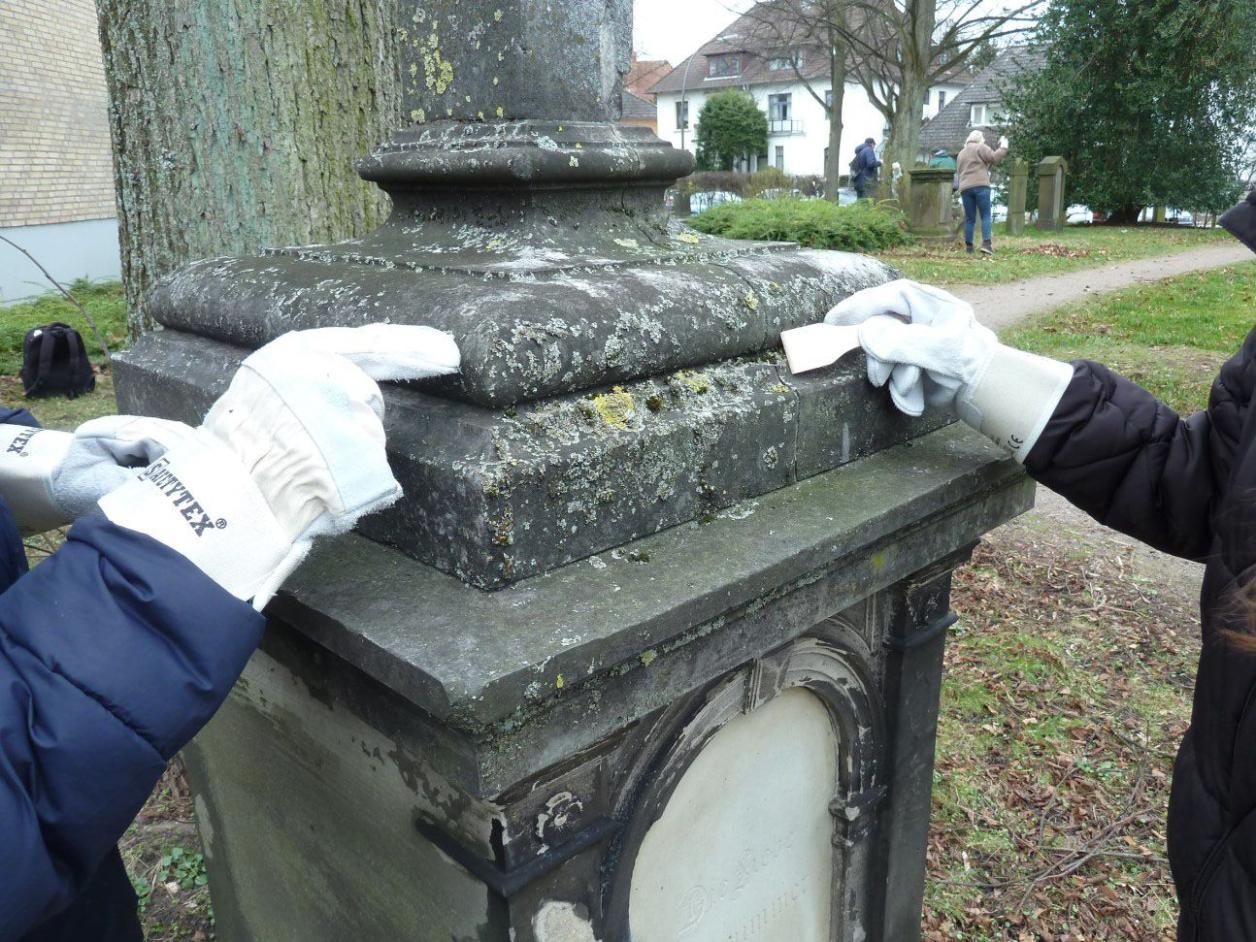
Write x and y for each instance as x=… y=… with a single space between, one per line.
x=1014 y=398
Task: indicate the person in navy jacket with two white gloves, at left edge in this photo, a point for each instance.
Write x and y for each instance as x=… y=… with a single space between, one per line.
x=120 y=647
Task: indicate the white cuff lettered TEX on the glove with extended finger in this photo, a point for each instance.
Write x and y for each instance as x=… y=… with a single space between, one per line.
x=199 y=501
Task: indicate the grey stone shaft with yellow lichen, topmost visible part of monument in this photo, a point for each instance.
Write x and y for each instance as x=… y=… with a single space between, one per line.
x=503 y=60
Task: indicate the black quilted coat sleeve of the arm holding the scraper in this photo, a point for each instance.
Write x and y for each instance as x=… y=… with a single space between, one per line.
x=1132 y=463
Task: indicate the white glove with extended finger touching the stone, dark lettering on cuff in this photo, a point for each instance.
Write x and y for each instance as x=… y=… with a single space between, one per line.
x=292 y=452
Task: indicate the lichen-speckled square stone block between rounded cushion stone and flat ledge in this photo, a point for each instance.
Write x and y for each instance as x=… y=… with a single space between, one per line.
x=495 y=497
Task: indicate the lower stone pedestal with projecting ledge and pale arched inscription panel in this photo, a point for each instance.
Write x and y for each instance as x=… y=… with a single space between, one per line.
x=409 y=758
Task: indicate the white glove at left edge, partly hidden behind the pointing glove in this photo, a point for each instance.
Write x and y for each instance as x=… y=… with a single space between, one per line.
x=50 y=479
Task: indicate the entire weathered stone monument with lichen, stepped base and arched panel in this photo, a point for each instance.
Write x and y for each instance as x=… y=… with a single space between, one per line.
x=652 y=647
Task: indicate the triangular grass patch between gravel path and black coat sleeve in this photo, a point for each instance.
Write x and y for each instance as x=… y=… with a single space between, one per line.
x=1171 y=337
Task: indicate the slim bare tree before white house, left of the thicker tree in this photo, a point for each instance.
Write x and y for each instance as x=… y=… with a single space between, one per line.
x=796 y=32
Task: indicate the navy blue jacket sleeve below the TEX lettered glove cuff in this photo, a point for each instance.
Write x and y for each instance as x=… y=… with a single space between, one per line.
x=114 y=654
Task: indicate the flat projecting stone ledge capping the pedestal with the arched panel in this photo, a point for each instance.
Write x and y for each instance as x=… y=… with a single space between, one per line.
x=475 y=660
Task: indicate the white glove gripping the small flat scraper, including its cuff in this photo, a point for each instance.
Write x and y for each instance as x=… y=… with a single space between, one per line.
x=929 y=346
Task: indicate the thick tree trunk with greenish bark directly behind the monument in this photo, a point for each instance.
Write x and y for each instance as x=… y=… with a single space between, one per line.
x=237 y=125
